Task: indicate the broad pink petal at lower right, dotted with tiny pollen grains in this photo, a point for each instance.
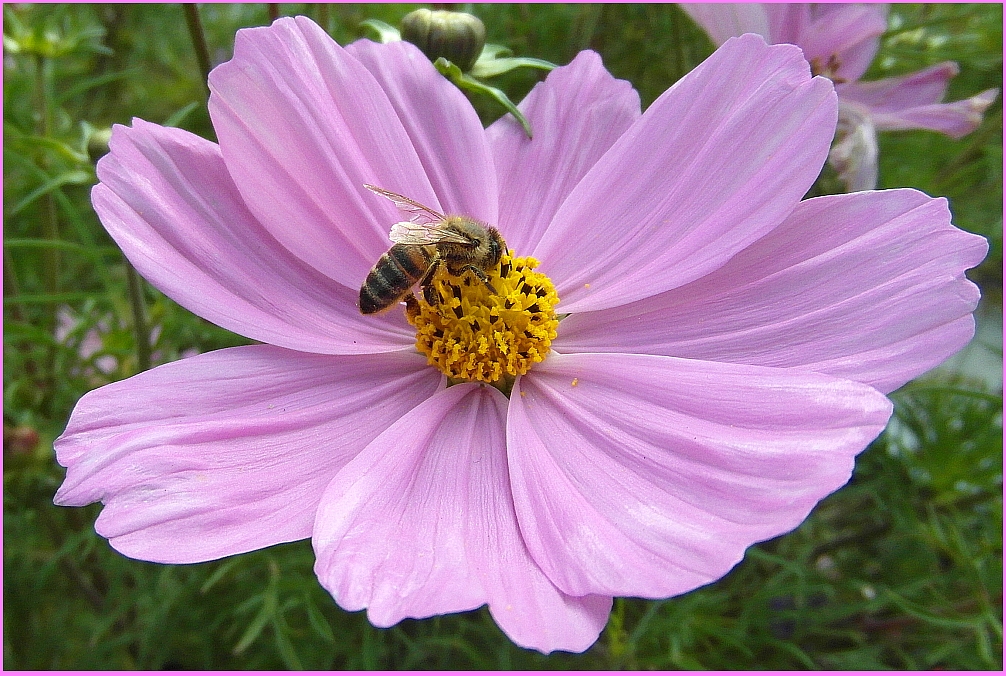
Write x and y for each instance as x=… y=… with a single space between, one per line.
x=644 y=476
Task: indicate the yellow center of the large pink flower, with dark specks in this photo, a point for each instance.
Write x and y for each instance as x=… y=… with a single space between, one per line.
x=471 y=333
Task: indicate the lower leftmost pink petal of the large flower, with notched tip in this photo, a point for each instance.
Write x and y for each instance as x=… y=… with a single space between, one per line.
x=230 y=451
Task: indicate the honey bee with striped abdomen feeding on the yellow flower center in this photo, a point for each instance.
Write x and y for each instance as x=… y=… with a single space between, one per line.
x=423 y=244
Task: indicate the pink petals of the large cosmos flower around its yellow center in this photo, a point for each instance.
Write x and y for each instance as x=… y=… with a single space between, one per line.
x=721 y=361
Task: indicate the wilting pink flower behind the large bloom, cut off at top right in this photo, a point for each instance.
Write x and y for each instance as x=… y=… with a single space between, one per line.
x=841 y=42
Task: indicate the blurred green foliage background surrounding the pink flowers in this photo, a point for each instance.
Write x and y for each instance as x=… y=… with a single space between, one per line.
x=903 y=569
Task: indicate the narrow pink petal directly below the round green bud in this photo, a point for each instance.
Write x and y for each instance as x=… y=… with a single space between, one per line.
x=444 y=128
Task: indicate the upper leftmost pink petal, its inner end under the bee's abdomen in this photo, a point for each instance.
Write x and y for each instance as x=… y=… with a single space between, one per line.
x=169 y=202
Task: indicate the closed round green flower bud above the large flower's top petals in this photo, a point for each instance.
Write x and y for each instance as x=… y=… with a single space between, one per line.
x=457 y=37
